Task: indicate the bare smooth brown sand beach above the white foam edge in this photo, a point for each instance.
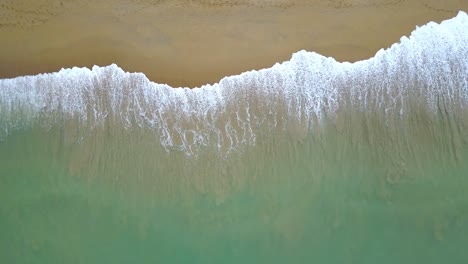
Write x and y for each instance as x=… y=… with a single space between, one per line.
x=190 y=43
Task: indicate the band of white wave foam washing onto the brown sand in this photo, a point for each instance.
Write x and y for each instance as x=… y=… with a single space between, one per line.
x=431 y=64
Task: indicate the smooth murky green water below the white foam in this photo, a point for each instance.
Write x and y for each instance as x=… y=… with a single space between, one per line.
x=329 y=197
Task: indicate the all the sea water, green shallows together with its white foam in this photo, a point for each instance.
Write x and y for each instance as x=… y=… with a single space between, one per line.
x=309 y=161
